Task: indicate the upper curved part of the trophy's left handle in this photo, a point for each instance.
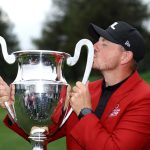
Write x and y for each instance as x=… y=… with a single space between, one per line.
x=10 y=59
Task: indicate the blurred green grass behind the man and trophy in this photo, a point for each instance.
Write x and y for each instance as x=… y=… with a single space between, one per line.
x=10 y=140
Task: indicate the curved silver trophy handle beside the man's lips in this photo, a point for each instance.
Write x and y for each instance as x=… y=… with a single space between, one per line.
x=73 y=60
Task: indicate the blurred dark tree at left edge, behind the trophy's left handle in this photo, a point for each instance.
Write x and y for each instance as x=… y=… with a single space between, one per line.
x=8 y=72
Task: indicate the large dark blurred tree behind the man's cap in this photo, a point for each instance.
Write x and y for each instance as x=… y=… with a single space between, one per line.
x=71 y=20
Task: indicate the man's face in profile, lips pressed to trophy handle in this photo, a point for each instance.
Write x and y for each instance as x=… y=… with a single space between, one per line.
x=107 y=55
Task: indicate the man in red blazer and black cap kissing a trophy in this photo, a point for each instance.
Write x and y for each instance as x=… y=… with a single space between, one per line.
x=112 y=113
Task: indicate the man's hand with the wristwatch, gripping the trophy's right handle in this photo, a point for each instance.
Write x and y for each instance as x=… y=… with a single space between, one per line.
x=80 y=97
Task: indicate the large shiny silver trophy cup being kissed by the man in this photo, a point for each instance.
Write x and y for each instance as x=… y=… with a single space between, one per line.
x=40 y=89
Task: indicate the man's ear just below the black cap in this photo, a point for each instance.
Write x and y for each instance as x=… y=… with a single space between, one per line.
x=126 y=57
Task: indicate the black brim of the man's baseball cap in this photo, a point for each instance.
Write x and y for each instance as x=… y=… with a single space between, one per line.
x=96 y=32
